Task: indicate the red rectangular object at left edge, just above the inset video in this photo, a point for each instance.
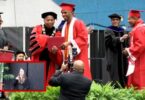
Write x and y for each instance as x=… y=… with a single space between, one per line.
x=6 y=55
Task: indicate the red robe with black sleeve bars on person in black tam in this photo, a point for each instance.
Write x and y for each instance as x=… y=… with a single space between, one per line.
x=40 y=46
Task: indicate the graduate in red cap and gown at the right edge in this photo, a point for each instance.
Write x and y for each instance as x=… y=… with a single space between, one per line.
x=136 y=51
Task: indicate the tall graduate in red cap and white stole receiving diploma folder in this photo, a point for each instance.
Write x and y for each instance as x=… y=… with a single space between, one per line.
x=76 y=34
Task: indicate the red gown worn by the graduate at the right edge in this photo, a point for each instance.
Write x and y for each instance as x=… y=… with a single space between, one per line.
x=137 y=55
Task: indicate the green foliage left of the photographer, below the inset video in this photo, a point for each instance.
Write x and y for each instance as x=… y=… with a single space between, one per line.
x=52 y=93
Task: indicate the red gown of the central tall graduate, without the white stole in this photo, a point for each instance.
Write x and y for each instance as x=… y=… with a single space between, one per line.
x=80 y=37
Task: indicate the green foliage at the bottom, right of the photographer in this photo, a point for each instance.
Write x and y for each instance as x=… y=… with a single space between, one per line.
x=107 y=92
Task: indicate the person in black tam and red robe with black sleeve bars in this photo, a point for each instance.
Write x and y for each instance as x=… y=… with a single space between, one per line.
x=38 y=44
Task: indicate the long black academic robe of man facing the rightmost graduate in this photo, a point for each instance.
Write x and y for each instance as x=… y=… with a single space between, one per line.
x=116 y=61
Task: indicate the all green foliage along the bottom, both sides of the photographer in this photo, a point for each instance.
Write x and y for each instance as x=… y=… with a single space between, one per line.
x=97 y=92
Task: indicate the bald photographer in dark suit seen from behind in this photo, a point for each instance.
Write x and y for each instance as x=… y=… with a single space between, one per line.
x=74 y=86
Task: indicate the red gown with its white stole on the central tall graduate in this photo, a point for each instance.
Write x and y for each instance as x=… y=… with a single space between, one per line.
x=78 y=36
